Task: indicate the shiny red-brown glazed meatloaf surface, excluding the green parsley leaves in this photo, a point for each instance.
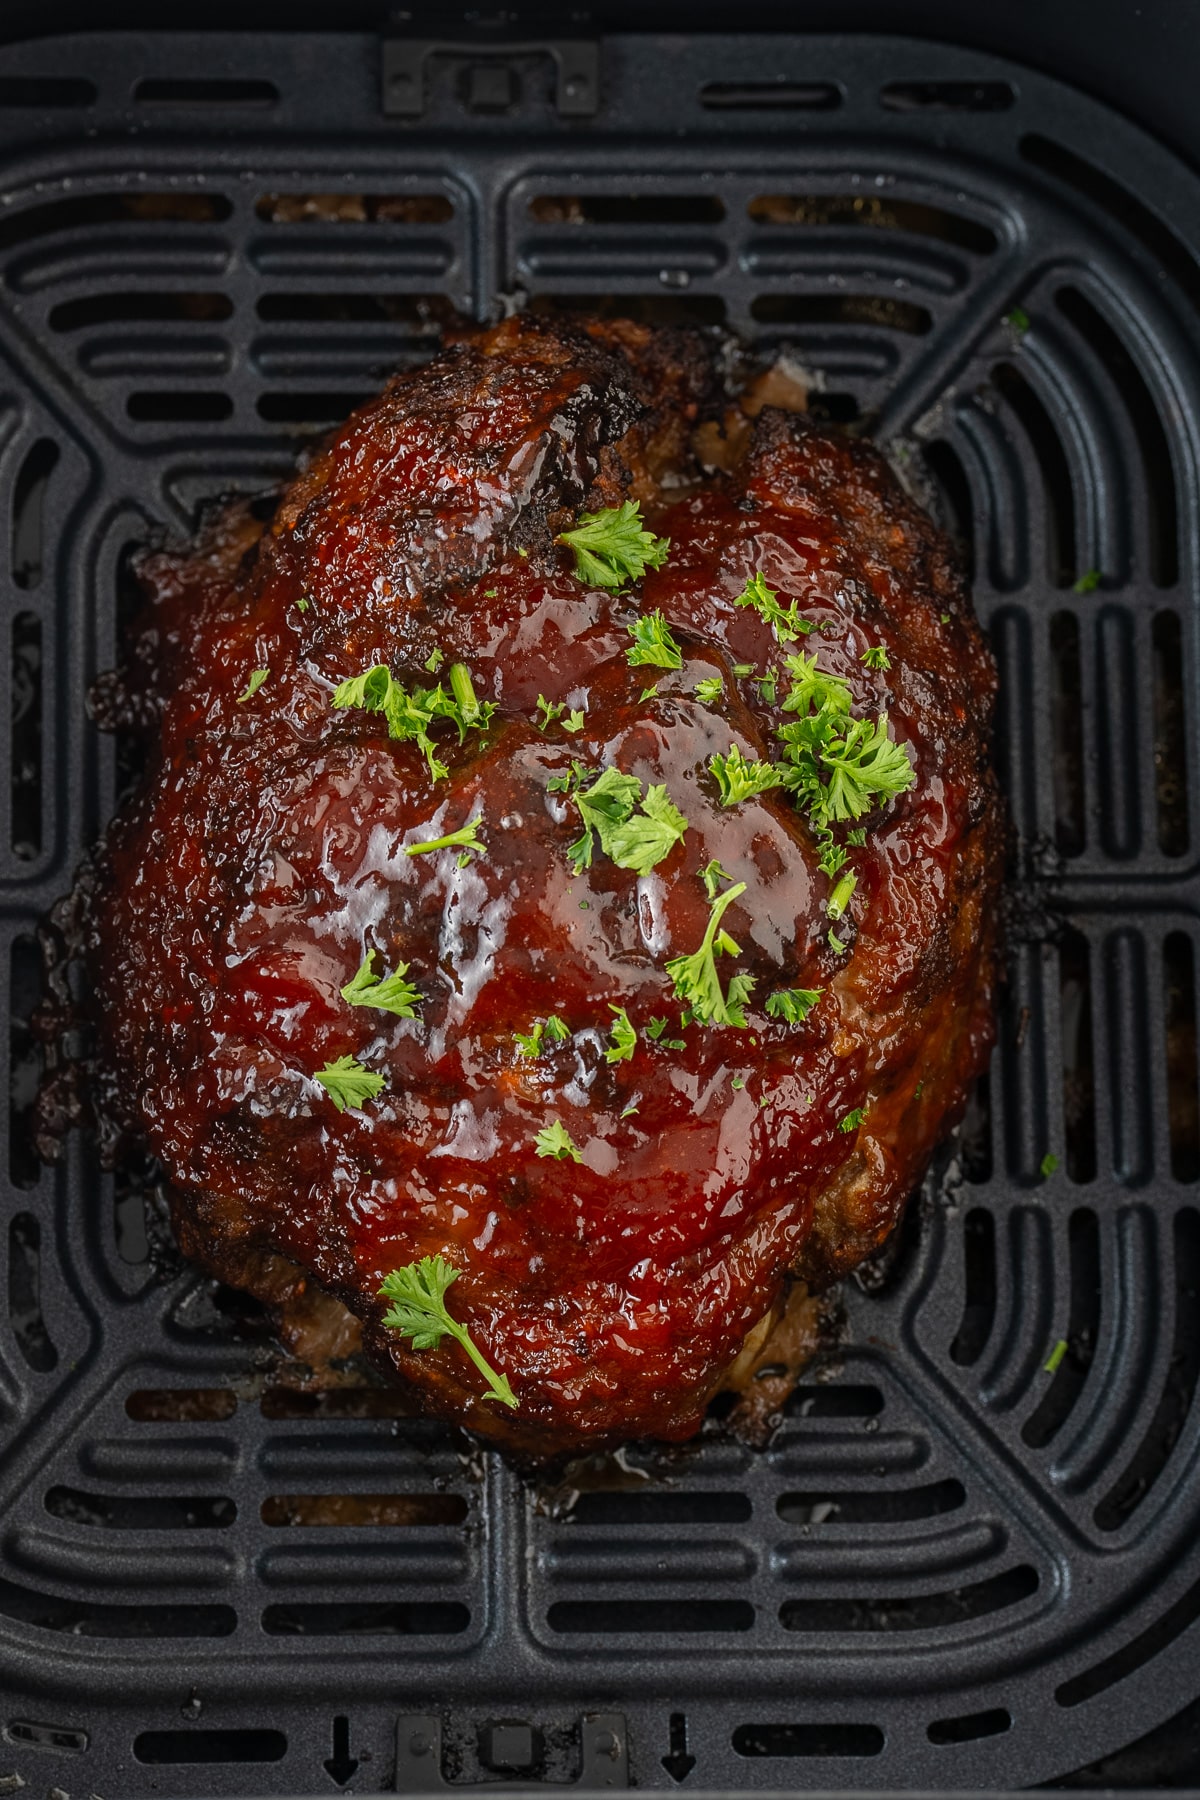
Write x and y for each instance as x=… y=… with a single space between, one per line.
x=264 y=858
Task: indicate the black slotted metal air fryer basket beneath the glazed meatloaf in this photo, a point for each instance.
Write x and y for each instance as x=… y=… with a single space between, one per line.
x=971 y=1554
